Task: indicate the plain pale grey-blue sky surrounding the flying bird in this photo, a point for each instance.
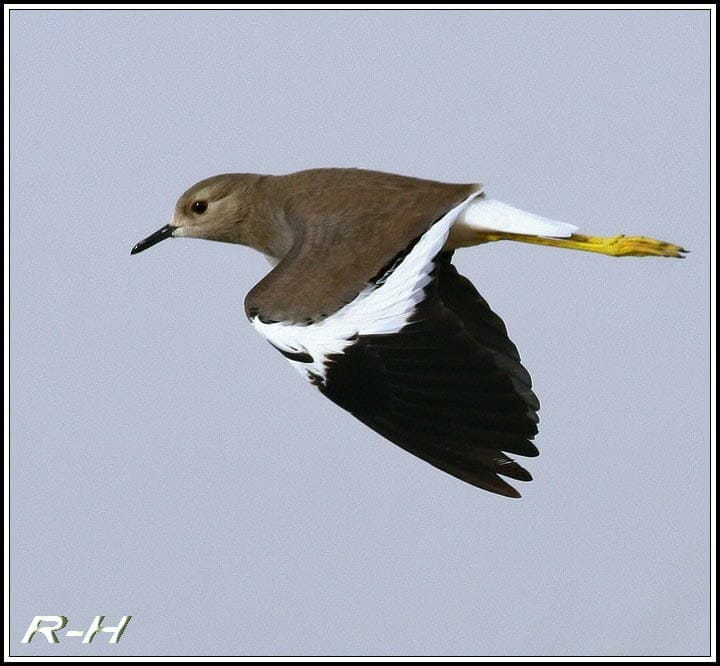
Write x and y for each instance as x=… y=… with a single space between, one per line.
x=168 y=464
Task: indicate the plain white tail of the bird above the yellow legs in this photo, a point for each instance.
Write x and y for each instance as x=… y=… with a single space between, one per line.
x=491 y=215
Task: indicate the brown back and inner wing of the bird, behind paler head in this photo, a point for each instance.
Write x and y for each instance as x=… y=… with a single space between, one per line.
x=347 y=225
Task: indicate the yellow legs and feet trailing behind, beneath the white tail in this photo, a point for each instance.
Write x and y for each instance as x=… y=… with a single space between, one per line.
x=615 y=246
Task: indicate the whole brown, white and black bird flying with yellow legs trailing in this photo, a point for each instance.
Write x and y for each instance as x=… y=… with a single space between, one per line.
x=364 y=301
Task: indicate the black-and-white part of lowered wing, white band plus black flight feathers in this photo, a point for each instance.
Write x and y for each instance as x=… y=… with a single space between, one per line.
x=420 y=358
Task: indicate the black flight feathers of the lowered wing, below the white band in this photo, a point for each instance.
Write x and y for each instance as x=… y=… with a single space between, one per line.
x=447 y=387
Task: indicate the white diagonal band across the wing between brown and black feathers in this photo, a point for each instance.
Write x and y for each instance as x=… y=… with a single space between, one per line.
x=375 y=310
